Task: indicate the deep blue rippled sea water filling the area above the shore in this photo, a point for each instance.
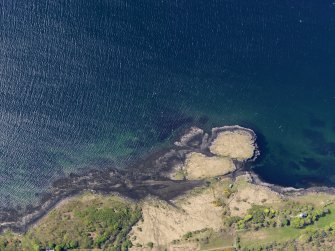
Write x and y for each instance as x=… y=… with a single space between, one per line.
x=94 y=84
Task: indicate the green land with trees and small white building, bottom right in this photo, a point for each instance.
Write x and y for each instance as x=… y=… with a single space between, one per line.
x=287 y=229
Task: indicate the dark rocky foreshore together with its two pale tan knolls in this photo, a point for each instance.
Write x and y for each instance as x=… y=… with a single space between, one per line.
x=154 y=175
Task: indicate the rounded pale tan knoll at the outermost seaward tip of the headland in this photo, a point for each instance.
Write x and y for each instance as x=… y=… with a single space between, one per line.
x=238 y=144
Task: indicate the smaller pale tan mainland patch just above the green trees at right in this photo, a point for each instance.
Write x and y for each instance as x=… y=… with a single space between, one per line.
x=250 y=194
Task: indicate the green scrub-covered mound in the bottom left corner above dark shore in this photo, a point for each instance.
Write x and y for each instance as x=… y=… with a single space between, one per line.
x=88 y=222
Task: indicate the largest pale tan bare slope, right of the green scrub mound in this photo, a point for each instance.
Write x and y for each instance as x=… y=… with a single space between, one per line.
x=162 y=223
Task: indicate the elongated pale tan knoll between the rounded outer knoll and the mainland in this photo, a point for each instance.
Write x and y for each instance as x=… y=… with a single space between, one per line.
x=199 y=166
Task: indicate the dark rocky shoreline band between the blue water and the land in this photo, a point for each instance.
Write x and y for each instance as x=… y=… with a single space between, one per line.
x=149 y=176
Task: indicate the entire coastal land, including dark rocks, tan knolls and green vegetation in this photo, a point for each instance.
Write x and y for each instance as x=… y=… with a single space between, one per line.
x=197 y=195
